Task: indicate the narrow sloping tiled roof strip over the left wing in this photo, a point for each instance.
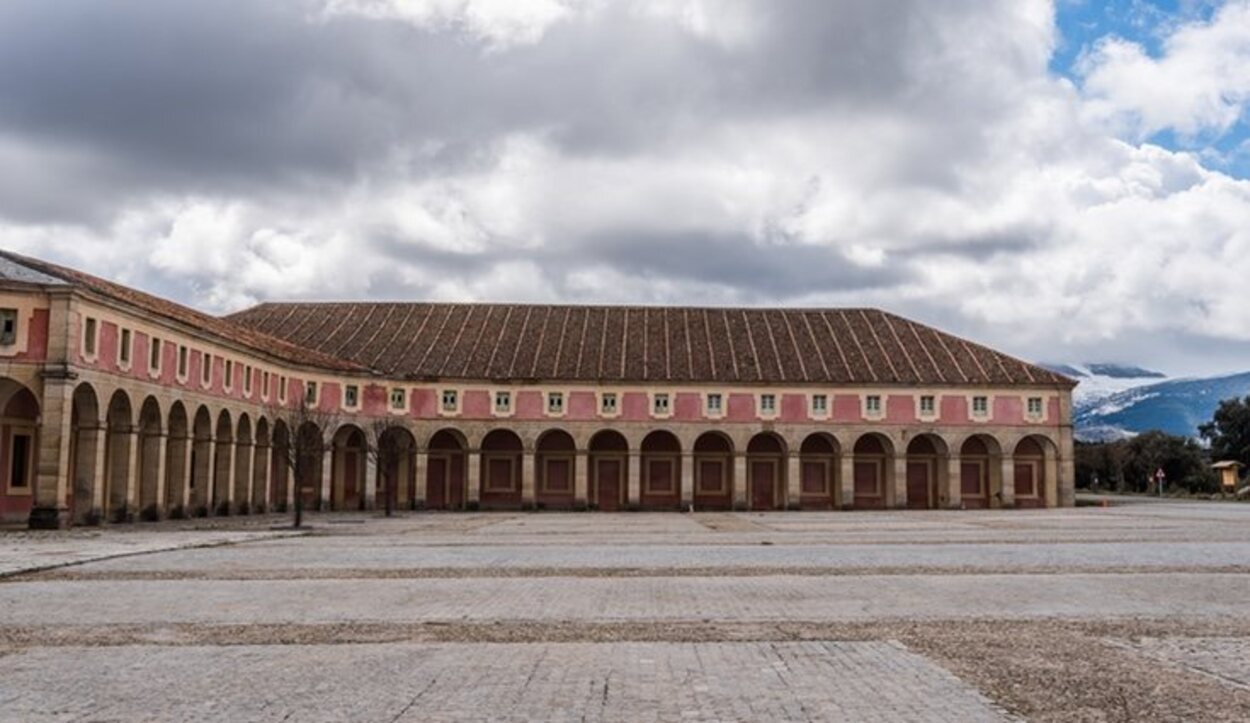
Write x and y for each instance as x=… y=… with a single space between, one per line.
x=223 y=328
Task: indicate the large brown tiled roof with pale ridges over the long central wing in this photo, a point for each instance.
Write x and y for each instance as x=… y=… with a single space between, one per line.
x=564 y=343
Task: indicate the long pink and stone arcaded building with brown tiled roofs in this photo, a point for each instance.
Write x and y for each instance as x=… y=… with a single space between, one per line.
x=121 y=406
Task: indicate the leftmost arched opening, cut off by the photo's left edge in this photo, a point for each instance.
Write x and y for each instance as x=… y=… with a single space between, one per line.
x=19 y=451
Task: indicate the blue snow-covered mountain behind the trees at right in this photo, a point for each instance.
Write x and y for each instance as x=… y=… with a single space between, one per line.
x=1114 y=402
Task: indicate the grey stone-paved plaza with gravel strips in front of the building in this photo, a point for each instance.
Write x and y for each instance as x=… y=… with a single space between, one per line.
x=1124 y=614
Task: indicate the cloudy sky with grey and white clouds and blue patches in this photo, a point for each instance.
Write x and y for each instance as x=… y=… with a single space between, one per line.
x=1068 y=181
